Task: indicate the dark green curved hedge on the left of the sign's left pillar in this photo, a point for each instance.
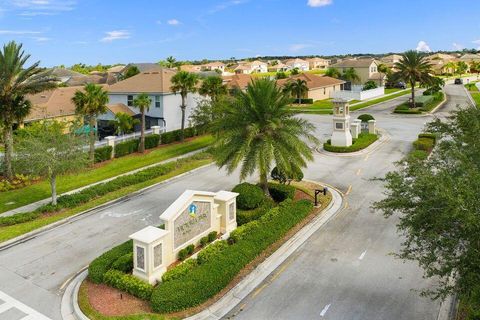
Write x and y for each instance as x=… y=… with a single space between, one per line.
x=99 y=267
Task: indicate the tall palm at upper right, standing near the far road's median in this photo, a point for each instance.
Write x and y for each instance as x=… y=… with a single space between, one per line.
x=414 y=67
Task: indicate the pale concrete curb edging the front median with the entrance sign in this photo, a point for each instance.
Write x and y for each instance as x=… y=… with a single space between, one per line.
x=71 y=310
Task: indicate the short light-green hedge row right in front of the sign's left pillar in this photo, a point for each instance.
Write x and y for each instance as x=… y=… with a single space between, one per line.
x=128 y=283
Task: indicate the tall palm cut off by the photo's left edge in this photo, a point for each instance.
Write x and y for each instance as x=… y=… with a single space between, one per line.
x=16 y=81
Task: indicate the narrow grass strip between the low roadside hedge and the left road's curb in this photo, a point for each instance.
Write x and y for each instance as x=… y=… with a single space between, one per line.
x=10 y=232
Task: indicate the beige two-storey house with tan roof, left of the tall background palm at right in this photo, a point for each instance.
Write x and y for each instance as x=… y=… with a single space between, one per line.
x=366 y=69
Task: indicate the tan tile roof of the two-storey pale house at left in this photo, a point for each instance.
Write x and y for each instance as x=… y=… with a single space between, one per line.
x=153 y=81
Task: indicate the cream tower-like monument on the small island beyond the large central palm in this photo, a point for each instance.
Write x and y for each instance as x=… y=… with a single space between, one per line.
x=341 y=135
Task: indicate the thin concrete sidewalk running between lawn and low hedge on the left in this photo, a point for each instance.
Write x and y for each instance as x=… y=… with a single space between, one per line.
x=33 y=206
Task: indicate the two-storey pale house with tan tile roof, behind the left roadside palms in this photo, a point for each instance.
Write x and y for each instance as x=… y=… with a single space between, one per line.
x=165 y=107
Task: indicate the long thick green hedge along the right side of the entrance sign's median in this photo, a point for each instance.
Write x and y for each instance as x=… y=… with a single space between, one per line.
x=206 y=280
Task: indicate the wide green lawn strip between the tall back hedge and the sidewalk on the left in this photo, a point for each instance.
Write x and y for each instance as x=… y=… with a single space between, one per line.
x=16 y=198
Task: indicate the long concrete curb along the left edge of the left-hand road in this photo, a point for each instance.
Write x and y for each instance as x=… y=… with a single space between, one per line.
x=31 y=235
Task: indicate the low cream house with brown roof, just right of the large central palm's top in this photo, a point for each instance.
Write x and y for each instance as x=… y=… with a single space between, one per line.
x=319 y=87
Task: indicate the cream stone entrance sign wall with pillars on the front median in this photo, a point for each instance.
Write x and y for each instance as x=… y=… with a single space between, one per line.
x=192 y=216
